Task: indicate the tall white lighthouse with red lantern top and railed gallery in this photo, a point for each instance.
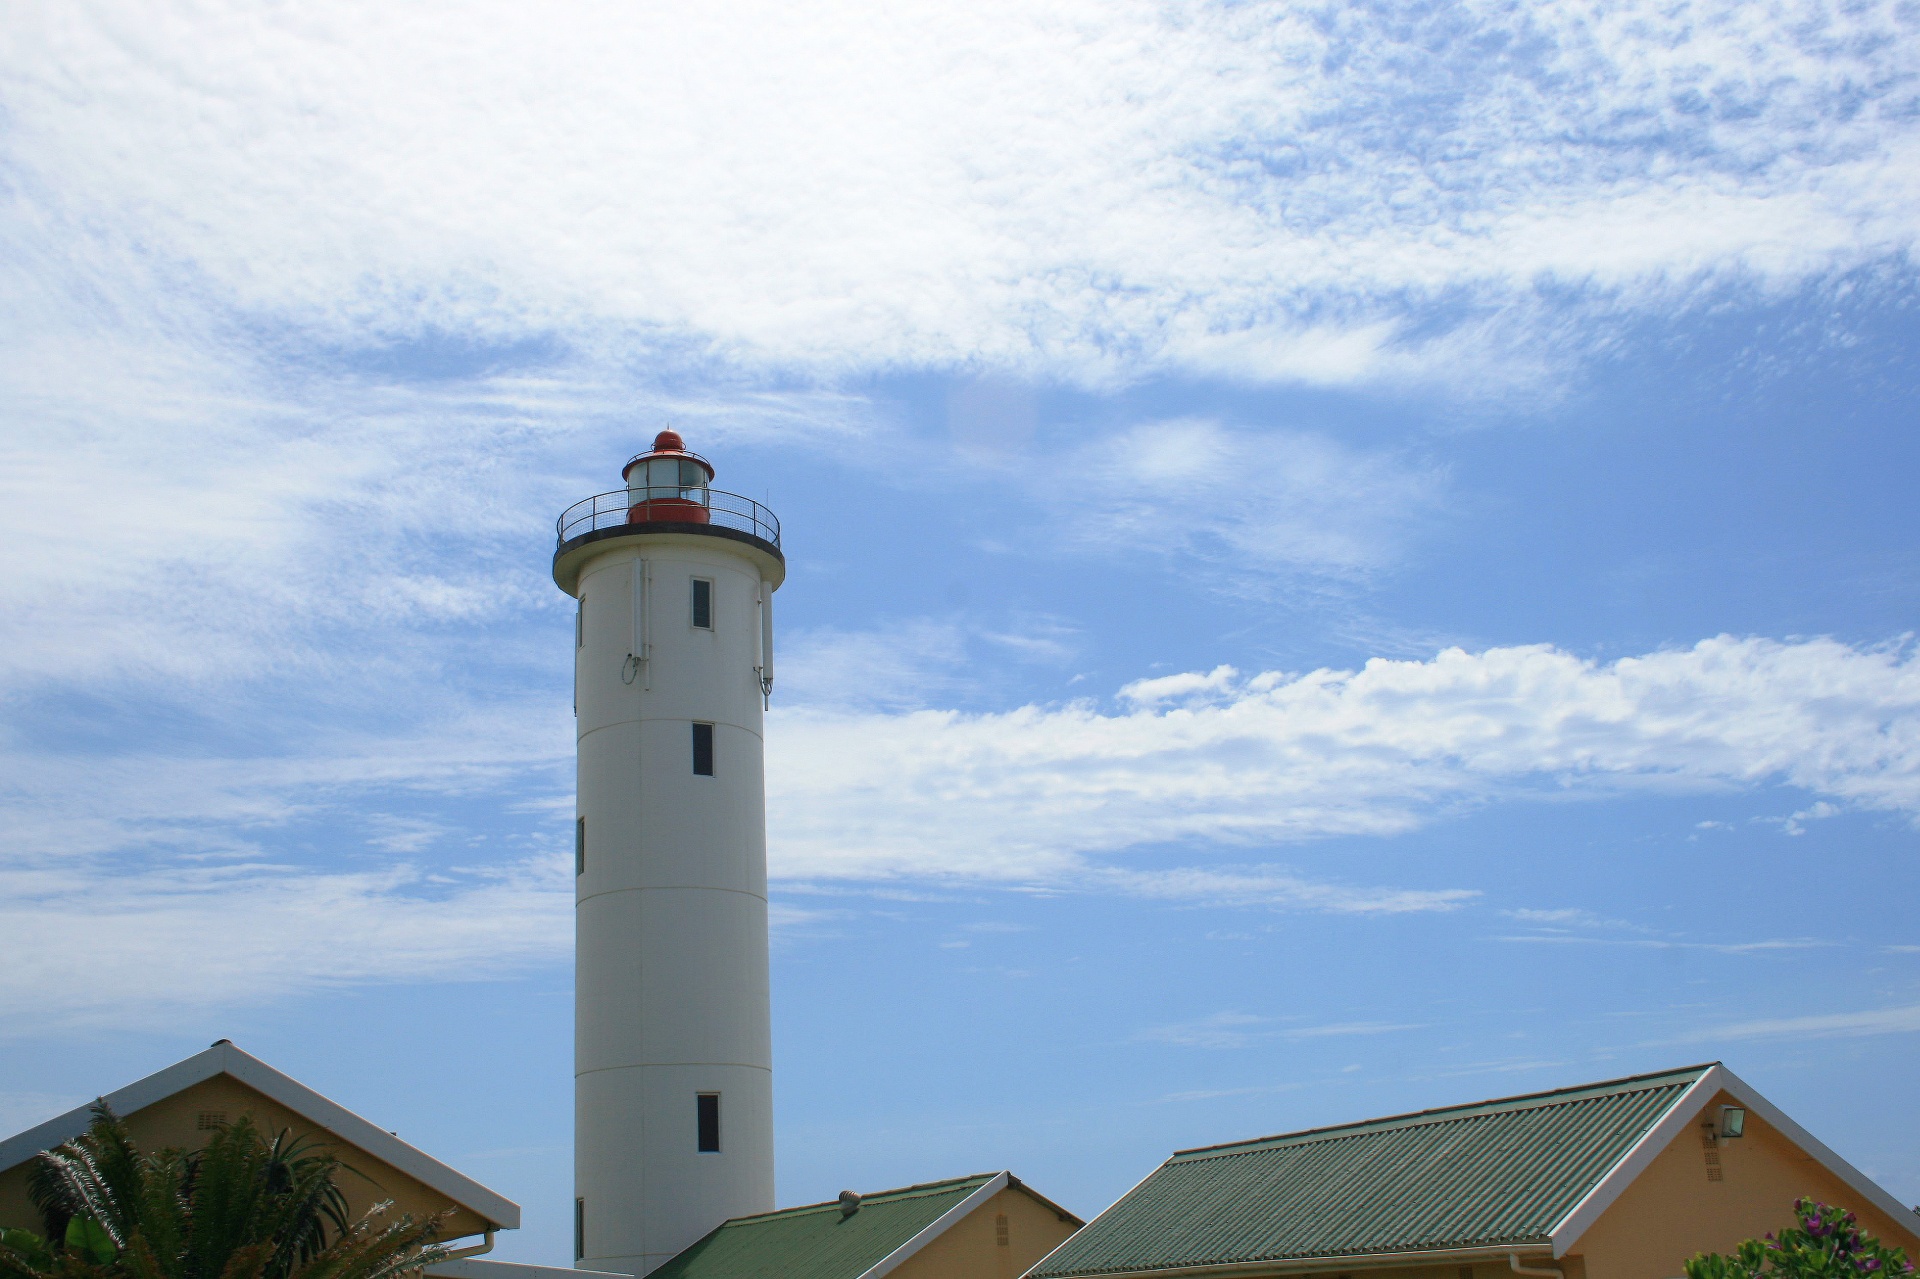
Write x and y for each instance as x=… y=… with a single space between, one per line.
x=673 y=1042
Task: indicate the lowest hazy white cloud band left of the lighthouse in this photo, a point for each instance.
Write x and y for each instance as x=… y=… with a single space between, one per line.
x=139 y=950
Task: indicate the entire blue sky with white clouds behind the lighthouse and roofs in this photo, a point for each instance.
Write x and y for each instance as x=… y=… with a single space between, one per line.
x=1341 y=558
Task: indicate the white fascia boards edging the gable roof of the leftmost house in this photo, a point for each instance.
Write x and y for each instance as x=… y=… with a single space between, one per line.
x=291 y=1094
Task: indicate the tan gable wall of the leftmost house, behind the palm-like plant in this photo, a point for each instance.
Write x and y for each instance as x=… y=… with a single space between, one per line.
x=176 y=1122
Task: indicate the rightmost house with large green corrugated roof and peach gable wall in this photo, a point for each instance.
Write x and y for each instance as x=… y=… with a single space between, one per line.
x=1620 y=1180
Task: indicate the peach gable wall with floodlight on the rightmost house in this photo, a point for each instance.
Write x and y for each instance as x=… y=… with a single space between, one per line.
x=1673 y=1211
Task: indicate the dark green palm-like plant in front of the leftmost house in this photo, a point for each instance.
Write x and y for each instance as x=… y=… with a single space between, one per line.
x=245 y=1207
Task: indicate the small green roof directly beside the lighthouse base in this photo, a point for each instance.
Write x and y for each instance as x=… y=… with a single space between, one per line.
x=817 y=1242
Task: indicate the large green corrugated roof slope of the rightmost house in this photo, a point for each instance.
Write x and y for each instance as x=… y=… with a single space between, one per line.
x=1491 y=1174
